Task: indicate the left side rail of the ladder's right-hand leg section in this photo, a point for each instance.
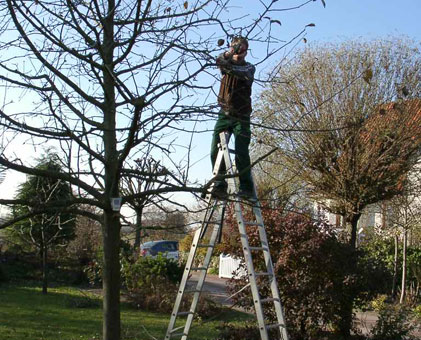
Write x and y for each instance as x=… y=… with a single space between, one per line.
x=245 y=244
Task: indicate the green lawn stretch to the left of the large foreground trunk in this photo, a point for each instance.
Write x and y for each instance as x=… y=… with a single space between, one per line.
x=25 y=313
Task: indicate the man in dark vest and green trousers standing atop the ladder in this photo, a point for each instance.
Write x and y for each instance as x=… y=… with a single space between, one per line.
x=235 y=101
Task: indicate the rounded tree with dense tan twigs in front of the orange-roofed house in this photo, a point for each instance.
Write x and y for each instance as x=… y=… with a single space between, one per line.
x=346 y=118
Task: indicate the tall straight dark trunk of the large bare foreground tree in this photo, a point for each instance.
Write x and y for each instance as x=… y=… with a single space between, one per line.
x=111 y=227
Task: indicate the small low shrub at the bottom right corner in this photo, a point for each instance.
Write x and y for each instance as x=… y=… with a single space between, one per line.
x=394 y=323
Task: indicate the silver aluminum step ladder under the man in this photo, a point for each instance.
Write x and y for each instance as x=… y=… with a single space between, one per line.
x=214 y=216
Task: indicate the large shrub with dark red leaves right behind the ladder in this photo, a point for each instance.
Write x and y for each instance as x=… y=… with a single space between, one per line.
x=314 y=270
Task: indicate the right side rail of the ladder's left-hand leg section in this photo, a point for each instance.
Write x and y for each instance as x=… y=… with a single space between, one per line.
x=202 y=278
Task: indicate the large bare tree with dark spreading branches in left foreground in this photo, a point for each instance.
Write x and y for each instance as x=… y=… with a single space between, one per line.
x=106 y=81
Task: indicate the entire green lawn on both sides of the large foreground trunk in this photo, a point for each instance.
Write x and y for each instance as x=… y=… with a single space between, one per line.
x=69 y=314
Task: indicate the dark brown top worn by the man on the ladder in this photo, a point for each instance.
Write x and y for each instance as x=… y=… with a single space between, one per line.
x=235 y=92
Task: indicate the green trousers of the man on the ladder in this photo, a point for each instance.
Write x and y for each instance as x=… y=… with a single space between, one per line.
x=240 y=128
